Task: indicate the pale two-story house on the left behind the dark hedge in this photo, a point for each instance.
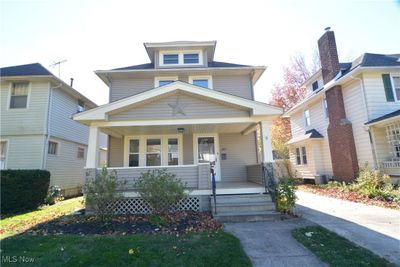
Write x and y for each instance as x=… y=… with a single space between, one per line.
x=37 y=130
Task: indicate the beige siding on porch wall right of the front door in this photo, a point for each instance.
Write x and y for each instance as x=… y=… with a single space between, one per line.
x=240 y=151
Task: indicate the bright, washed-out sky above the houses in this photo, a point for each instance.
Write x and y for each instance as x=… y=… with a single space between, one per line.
x=98 y=35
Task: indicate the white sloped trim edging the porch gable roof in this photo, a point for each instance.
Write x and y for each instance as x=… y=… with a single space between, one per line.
x=101 y=113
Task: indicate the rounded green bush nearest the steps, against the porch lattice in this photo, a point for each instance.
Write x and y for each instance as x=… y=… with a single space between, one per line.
x=160 y=189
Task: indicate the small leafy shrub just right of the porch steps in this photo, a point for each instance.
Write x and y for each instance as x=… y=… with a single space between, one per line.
x=285 y=197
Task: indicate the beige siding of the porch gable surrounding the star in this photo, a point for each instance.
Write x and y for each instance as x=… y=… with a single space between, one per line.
x=193 y=107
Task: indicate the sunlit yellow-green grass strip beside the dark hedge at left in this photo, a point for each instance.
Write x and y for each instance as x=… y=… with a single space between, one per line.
x=19 y=223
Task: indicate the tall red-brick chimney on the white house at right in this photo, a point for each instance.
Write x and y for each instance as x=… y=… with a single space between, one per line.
x=340 y=131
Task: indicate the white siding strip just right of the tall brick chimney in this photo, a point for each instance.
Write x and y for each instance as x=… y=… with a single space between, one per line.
x=356 y=114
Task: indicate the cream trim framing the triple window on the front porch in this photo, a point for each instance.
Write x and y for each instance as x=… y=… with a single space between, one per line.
x=143 y=149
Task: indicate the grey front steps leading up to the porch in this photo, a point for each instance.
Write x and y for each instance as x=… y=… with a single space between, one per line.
x=244 y=208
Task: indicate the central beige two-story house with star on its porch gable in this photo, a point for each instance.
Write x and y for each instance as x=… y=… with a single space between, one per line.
x=184 y=112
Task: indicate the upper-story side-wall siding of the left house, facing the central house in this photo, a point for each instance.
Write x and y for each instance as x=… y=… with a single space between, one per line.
x=63 y=106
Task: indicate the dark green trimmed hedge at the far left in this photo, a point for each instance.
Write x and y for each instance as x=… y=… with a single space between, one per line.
x=23 y=190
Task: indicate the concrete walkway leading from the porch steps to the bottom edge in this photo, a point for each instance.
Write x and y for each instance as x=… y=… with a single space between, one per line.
x=271 y=243
